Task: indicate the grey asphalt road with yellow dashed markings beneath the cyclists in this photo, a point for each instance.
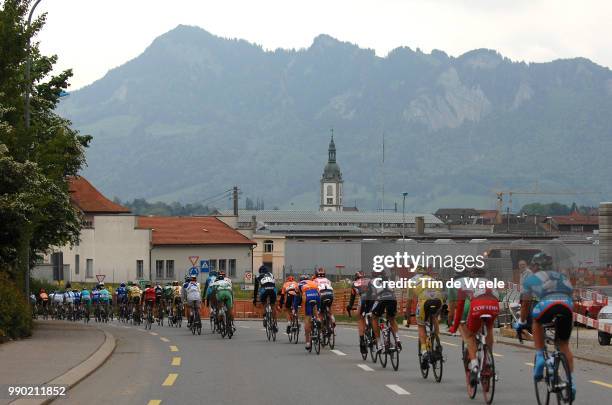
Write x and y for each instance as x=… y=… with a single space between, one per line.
x=171 y=366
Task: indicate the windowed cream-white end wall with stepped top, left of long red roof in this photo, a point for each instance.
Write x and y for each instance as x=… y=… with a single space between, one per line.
x=114 y=244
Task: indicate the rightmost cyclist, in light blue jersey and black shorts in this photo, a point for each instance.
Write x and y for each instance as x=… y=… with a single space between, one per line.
x=554 y=293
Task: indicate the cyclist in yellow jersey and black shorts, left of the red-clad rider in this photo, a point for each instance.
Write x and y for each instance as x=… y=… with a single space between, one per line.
x=429 y=303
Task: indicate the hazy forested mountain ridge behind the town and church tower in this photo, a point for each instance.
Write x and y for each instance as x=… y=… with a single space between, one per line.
x=195 y=114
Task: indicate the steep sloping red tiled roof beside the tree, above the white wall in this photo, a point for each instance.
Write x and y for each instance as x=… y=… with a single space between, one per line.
x=89 y=200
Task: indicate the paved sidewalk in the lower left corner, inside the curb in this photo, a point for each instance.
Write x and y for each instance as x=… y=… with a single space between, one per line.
x=55 y=348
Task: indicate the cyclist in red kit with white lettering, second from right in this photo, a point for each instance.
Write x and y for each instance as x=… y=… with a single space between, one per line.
x=478 y=300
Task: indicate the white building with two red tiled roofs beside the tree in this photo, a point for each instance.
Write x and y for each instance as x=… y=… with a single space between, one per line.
x=121 y=246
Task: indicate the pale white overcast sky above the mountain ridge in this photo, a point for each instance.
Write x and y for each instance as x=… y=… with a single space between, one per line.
x=93 y=36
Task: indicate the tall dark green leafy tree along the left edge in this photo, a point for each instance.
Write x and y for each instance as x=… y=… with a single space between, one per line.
x=38 y=161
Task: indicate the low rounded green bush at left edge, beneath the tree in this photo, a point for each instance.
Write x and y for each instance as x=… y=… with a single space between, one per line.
x=15 y=312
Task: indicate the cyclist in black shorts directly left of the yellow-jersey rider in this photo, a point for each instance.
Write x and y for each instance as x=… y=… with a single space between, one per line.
x=384 y=301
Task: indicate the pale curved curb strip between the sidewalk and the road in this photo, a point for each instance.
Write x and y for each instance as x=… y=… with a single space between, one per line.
x=78 y=373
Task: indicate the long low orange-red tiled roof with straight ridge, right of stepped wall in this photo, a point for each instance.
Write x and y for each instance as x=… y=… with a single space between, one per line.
x=192 y=231
